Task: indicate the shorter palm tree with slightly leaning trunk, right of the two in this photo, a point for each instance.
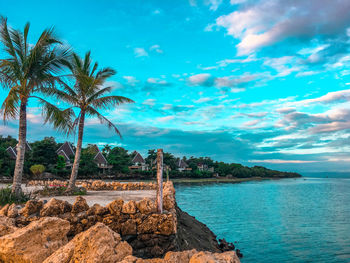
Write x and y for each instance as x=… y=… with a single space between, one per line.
x=88 y=95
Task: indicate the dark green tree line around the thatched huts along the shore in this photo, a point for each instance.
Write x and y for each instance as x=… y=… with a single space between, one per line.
x=44 y=152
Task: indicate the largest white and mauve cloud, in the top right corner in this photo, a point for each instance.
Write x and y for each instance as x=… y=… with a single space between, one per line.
x=264 y=23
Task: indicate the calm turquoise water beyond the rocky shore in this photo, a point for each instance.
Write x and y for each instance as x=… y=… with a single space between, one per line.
x=289 y=220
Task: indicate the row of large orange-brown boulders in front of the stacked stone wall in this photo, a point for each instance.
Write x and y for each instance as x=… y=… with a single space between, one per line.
x=45 y=240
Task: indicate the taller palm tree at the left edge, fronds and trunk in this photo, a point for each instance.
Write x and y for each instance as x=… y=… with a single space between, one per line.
x=29 y=71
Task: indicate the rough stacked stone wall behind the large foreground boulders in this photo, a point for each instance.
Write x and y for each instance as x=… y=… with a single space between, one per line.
x=150 y=234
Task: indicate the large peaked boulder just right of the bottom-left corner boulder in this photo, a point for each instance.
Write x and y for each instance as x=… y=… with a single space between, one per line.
x=98 y=244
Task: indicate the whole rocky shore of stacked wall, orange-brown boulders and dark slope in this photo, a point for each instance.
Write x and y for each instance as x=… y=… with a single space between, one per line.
x=58 y=231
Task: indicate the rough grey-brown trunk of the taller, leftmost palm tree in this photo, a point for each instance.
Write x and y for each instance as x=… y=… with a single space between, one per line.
x=21 y=148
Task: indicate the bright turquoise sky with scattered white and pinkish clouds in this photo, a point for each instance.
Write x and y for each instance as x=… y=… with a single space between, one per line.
x=257 y=82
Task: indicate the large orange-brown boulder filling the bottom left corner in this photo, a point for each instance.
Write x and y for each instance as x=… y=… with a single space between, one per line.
x=35 y=242
